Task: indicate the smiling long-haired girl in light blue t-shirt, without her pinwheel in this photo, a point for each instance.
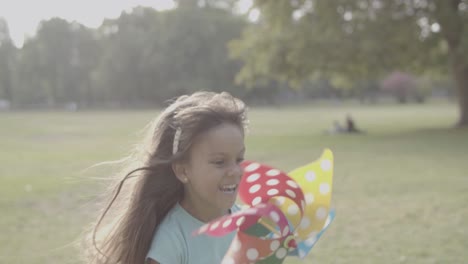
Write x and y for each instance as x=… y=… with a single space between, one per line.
x=188 y=175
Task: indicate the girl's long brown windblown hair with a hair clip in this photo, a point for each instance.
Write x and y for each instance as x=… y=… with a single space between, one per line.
x=154 y=189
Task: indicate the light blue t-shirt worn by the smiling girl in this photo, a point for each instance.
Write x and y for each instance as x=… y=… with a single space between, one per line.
x=174 y=243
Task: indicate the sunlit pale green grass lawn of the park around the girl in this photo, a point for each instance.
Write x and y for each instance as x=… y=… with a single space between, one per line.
x=400 y=190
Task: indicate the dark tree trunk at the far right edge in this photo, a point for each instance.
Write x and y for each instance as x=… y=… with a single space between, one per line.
x=461 y=77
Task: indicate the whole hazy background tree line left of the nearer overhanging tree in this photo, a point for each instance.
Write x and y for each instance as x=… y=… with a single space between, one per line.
x=143 y=57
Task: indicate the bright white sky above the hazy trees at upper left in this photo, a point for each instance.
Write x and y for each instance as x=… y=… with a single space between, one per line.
x=23 y=16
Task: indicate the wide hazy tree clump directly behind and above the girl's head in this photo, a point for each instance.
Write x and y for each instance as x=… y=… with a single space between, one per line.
x=151 y=56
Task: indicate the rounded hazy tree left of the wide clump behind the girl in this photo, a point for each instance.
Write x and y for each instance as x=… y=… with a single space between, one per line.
x=55 y=66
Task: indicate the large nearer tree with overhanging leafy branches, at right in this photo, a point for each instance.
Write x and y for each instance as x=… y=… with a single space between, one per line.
x=356 y=40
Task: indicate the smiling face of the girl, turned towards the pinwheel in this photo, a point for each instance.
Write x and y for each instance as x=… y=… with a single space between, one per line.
x=213 y=172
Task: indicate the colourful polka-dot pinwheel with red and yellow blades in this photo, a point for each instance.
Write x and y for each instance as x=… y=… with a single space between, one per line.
x=284 y=214
